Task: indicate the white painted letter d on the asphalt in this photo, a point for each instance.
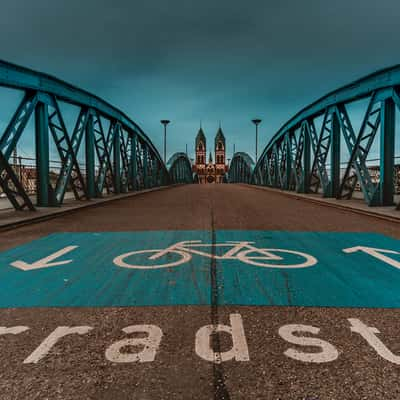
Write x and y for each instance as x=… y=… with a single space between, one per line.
x=239 y=351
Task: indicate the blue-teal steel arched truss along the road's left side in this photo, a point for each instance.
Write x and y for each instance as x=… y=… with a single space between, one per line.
x=118 y=155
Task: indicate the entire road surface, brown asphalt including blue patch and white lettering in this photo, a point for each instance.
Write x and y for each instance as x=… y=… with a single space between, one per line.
x=218 y=325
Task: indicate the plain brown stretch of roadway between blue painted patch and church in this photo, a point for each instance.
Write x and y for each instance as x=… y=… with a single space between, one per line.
x=197 y=207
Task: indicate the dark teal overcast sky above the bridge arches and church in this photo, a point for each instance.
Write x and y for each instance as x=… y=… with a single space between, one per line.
x=213 y=61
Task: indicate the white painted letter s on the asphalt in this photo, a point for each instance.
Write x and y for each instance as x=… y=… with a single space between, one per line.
x=328 y=353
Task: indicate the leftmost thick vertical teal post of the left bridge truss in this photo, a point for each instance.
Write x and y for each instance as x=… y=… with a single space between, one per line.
x=42 y=155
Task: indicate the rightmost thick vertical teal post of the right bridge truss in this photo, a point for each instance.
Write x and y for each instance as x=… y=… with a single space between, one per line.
x=386 y=186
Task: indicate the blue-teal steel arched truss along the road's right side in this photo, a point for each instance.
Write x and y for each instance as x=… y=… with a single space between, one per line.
x=307 y=153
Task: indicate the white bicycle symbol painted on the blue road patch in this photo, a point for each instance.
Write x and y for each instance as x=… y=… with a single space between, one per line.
x=242 y=251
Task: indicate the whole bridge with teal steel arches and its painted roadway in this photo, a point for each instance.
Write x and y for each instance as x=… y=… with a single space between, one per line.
x=121 y=278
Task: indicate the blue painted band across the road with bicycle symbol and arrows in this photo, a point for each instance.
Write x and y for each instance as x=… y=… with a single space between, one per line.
x=165 y=268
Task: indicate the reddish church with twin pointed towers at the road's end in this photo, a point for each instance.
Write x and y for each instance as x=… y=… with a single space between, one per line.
x=210 y=172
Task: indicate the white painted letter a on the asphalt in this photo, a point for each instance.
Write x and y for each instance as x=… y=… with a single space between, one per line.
x=150 y=343
